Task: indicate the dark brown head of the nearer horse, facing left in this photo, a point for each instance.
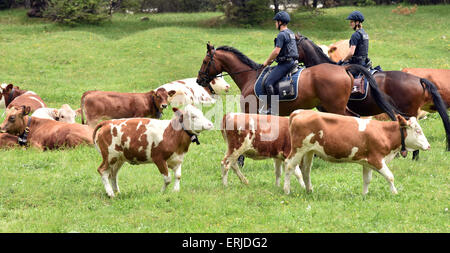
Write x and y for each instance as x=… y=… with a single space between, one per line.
x=209 y=69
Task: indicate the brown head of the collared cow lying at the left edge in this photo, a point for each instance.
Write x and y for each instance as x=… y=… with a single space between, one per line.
x=14 y=122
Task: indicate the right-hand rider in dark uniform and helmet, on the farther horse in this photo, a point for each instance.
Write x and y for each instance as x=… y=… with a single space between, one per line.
x=359 y=42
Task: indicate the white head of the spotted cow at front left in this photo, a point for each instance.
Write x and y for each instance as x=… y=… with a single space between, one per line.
x=193 y=119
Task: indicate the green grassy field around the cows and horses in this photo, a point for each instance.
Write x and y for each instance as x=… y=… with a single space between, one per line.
x=61 y=191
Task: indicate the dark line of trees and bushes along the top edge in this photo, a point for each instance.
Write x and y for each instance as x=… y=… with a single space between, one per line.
x=236 y=11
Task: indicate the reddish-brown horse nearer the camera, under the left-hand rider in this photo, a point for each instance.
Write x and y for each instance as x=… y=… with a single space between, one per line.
x=325 y=85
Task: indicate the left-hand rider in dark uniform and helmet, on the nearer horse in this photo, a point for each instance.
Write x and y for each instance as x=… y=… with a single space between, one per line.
x=285 y=54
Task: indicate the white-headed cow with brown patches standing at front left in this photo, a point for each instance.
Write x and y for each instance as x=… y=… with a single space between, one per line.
x=144 y=140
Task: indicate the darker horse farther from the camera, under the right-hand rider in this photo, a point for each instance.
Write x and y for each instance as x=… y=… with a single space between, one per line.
x=408 y=93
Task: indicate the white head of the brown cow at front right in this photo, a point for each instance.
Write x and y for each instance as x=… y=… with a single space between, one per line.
x=415 y=139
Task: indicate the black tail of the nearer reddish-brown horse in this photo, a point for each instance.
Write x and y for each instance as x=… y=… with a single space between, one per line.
x=379 y=97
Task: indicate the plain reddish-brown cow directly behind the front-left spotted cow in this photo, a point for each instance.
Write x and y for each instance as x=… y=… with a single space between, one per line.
x=104 y=105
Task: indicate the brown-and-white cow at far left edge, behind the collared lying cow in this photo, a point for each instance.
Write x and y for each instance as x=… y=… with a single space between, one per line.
x=14 y=96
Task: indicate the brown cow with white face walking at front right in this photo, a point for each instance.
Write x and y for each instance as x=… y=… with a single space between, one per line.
x=338 y=138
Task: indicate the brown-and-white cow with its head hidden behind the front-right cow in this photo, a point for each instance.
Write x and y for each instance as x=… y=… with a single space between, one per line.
x=257 y=137
